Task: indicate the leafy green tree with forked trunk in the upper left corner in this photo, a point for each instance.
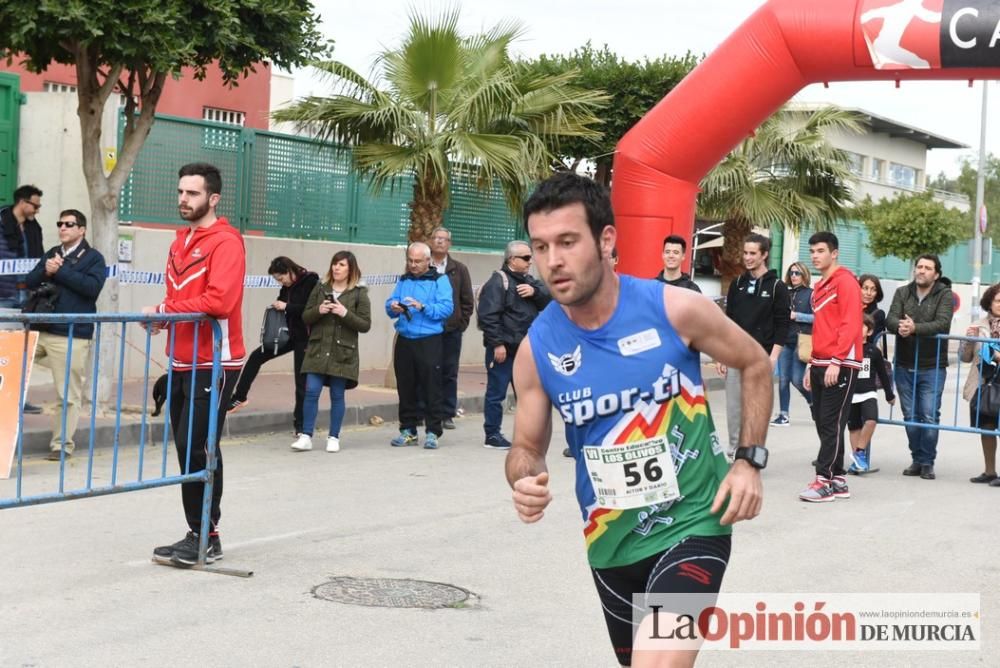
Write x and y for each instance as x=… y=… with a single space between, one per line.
x=131 y=47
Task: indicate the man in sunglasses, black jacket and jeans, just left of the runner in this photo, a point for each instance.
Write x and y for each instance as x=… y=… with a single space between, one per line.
x=509 y=302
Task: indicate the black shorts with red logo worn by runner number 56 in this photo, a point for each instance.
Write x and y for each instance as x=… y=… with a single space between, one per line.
x=695 y=565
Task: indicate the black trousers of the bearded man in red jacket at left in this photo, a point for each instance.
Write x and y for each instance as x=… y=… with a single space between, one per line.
x=181 y=409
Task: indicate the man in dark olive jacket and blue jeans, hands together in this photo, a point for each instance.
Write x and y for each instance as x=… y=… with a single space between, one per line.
x=921 y=310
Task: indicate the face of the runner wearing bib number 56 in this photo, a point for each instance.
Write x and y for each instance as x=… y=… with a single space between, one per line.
x=570 y=262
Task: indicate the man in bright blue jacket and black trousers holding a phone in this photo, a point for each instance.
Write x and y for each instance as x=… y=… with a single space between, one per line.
x=419 y=305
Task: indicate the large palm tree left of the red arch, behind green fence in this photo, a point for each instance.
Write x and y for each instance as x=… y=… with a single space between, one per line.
x=441 y=103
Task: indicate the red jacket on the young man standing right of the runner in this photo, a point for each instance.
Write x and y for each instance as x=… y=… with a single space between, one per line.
x=837 y=338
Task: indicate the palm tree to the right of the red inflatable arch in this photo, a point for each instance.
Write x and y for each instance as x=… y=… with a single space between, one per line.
x=786 y=176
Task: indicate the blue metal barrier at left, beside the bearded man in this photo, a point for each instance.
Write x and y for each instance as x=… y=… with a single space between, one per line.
x=89 y=489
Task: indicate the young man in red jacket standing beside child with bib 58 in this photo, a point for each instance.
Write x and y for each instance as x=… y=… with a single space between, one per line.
x=838 y=348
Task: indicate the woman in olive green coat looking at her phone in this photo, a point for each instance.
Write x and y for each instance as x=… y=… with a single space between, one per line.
x=337 y=311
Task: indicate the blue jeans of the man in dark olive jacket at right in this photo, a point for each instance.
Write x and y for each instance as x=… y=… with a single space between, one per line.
x=920 y=398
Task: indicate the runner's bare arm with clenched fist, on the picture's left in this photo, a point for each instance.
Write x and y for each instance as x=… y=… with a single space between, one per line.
x=527 y=473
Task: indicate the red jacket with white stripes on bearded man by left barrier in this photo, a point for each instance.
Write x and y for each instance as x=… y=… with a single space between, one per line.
x=205 y=275
